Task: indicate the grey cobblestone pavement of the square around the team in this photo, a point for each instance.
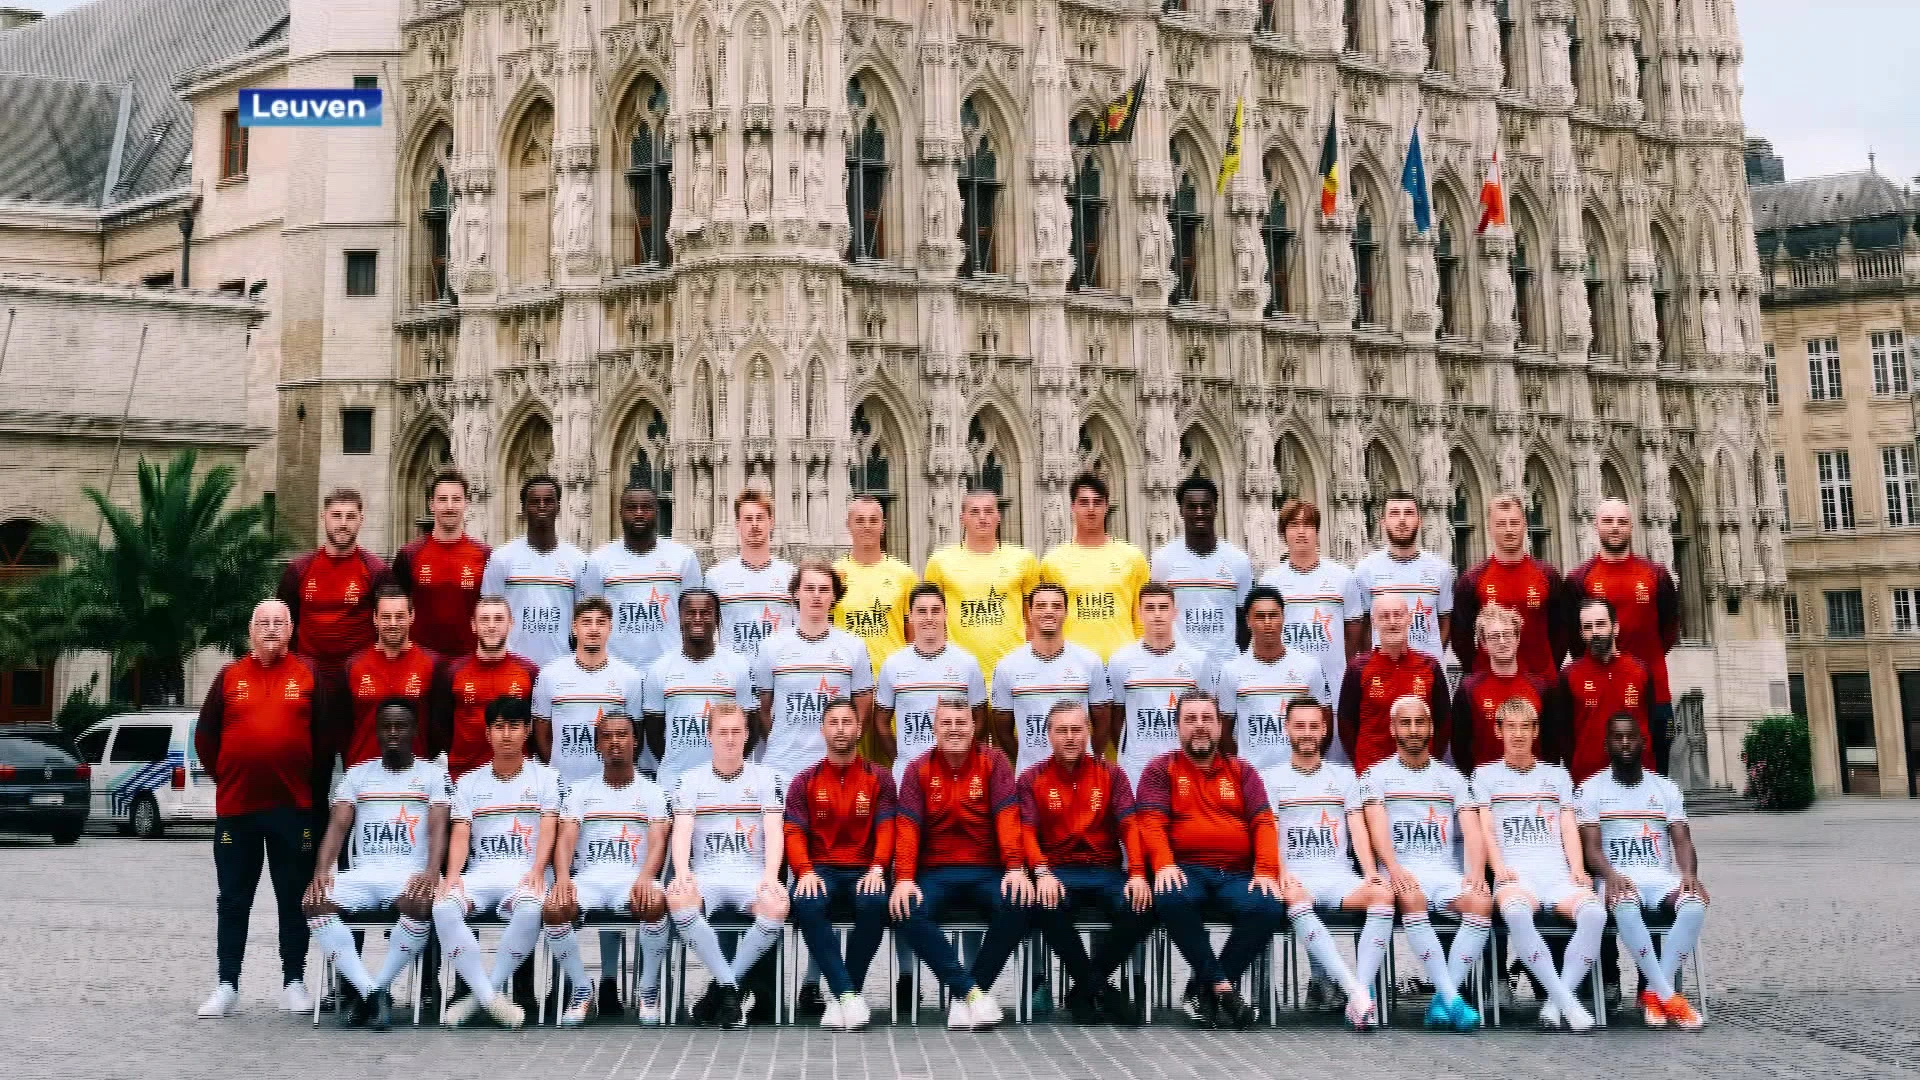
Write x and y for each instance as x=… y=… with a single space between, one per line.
x=107 y=950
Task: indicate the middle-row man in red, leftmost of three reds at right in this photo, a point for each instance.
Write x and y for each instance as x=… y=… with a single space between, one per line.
x=1380 y=677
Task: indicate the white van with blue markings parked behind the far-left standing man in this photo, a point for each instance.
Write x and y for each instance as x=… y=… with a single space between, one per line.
x=147 y=773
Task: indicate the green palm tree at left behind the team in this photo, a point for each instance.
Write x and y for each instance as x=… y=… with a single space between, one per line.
x=180 y=576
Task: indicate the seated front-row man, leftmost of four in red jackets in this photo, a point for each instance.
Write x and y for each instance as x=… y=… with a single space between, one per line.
x=840 y=841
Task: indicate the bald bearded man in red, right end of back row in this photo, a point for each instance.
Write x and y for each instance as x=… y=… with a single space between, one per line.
x=1646 y=610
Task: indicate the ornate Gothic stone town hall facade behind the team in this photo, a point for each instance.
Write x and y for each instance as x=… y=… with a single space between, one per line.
x=838 y=247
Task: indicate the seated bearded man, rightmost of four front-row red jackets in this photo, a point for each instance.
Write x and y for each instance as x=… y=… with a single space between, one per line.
x=1207 y=829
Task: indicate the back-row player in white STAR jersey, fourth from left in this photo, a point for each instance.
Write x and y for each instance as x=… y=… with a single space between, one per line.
x=642 y=576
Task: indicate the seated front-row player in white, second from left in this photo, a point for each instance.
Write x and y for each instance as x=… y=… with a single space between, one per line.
x=500 y=850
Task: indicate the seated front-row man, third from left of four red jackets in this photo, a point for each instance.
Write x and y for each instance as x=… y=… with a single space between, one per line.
x=1078 y=816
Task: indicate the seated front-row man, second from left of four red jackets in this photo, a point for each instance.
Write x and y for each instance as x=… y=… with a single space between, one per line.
x=957 y=839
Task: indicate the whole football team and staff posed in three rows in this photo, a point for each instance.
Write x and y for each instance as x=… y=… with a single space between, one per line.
x=544 y=745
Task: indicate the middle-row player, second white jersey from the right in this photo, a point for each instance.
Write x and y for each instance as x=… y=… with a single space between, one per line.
x=1147 y=681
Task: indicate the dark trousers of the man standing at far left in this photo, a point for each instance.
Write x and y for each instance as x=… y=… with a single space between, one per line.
x=283 y=841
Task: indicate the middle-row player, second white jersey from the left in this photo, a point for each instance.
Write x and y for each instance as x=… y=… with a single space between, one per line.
x=686 y=685
